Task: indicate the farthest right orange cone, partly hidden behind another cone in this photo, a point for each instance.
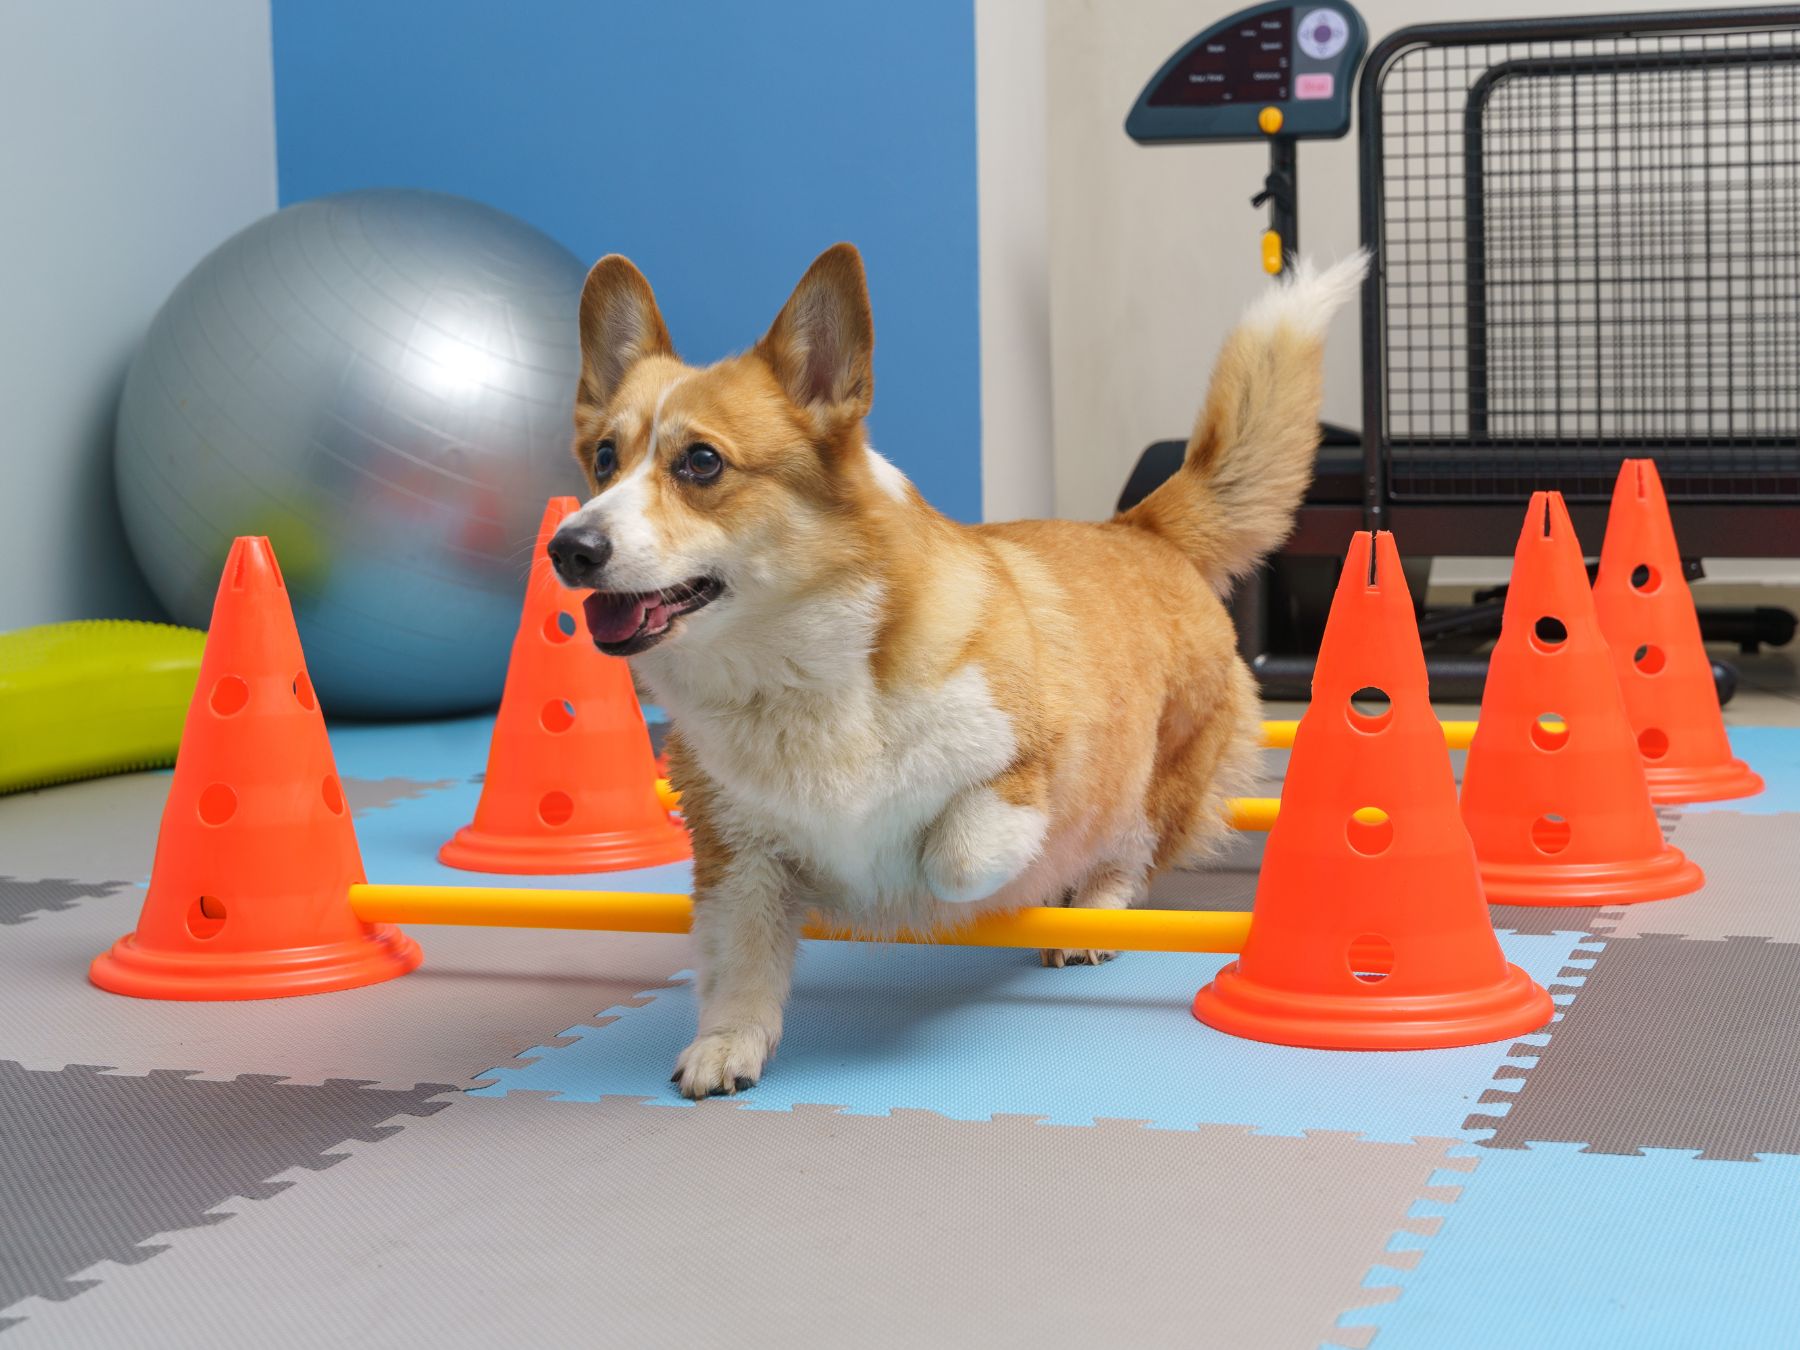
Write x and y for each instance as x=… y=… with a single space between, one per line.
x=1648 y=618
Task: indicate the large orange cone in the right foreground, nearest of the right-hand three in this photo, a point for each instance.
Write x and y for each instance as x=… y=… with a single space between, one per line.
x=1371 y=930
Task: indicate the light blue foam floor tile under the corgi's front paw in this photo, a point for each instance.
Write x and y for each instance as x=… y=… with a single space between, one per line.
x=973 y=1034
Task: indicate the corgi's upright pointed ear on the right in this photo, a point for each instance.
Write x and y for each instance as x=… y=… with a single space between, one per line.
x=822 y=345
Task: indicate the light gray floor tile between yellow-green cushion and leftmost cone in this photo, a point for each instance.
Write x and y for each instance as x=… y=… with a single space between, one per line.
x=87 y=832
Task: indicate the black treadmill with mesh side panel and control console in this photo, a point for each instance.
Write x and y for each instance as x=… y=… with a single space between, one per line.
x=1587 y=240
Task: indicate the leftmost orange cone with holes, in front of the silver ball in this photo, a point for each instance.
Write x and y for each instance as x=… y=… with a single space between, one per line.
x=249 y=895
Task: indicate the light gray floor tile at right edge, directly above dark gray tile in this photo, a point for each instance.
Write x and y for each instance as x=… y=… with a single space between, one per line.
x=1752 y=890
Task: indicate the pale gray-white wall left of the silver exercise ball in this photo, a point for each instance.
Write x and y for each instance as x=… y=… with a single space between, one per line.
x=134 y=138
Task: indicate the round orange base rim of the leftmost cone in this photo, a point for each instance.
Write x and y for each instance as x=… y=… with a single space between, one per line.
x=233 y=976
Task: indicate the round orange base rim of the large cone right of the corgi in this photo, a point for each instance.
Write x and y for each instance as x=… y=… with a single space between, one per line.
x=1515 y=1007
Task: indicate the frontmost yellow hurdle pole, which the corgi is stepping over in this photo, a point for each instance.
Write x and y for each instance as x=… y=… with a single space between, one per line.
x=624 y=912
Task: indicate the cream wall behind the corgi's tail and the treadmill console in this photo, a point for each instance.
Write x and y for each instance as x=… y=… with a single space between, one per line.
x=1155 y=249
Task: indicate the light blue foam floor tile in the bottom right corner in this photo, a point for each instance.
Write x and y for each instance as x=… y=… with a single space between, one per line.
x=1561 y=1250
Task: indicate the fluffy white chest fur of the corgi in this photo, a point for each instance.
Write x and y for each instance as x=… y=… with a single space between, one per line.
x=811 y=757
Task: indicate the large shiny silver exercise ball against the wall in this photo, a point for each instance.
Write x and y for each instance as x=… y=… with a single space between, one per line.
x=382 y=384
